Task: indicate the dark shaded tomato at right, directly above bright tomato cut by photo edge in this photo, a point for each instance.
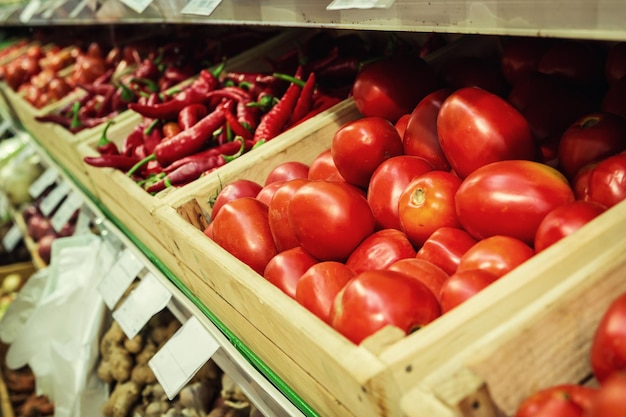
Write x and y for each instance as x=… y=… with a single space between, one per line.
x=589 y=139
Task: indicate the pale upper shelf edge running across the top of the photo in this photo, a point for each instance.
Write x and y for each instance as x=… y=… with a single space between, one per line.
x=597 y=19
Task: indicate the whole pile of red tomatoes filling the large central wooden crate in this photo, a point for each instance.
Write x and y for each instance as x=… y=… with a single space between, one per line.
x=440 y=189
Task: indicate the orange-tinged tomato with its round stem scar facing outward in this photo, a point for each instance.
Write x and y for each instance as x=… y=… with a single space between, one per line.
x=427 y=204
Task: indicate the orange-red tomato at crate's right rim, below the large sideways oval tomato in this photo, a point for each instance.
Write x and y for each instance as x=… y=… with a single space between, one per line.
x=496 y=254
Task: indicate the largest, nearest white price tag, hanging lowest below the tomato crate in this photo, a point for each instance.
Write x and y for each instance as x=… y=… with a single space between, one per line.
x=182 y=356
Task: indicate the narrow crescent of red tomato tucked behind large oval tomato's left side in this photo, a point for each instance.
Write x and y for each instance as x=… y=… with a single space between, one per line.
x=278 y=219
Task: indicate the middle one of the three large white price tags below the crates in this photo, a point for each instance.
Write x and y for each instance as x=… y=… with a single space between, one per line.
x=142 y=303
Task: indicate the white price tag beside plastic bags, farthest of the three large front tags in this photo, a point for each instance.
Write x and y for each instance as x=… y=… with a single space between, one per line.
x=124 y=271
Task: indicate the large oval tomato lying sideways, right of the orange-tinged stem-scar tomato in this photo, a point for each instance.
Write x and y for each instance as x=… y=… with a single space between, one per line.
x=510 y=198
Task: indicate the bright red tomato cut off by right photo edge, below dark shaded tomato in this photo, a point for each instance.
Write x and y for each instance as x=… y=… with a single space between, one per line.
x=607 y=181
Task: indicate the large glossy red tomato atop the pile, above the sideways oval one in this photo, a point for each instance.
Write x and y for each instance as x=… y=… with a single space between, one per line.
x=477 y=127
